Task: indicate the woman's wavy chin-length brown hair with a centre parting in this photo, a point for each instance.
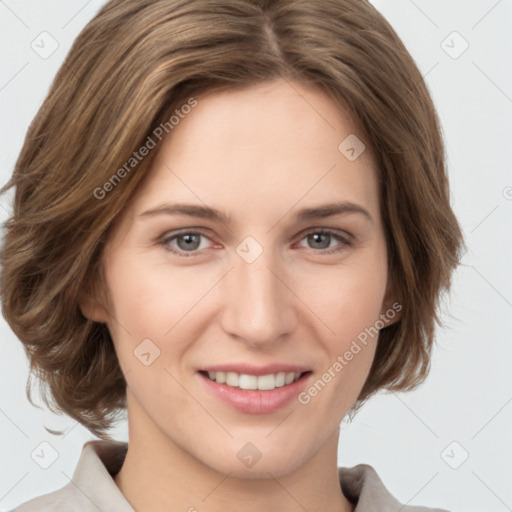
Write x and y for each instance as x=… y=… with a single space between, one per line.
x=136 y=62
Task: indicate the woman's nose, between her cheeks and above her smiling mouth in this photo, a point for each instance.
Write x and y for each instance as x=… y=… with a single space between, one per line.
x=258 y=306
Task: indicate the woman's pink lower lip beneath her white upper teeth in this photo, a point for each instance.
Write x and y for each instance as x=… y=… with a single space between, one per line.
x=255 y=401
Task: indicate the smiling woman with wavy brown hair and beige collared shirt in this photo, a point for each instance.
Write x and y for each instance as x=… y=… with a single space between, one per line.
x=231 y=219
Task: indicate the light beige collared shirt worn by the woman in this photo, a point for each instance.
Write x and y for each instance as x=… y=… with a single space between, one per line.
x=92 y=488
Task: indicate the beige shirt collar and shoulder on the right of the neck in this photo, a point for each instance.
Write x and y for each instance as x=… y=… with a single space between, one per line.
x=362 y=485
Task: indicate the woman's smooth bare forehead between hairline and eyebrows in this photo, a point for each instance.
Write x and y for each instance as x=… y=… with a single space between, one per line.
x=260 y=151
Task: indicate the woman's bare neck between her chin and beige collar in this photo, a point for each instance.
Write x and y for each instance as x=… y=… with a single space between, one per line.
x=158 y=475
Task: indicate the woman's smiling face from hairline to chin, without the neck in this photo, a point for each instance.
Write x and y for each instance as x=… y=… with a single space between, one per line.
x=254 y=253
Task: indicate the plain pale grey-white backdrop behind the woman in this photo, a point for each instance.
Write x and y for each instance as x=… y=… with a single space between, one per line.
x=447 y=444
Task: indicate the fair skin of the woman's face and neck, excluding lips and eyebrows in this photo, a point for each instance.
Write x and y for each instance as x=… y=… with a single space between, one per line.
x=258 y=155
